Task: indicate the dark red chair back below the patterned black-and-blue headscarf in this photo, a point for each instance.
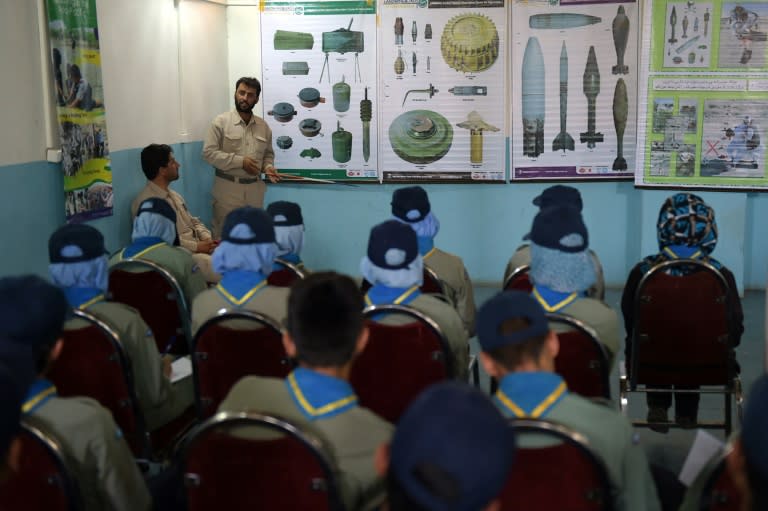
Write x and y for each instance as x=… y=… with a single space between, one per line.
x=680 y=333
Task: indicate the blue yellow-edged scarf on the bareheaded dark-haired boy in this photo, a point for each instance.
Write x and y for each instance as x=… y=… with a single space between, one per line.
x=319 y=396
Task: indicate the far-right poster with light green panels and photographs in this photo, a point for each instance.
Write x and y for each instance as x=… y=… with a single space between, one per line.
x=704 y=95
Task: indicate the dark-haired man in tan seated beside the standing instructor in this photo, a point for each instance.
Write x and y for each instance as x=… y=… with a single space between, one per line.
x=162 y=169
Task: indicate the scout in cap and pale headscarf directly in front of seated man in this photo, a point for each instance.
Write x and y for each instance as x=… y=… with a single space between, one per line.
x=155 y=239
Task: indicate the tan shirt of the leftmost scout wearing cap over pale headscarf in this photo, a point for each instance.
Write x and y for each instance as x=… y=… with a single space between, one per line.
x=159 y=399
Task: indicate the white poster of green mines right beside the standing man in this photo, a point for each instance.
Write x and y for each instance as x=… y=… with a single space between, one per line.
x=320 y=87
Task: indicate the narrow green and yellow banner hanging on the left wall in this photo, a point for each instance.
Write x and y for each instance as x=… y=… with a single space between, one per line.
x=74 y=42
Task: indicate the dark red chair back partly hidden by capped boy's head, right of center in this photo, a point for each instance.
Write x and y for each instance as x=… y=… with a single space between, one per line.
x=582 y=360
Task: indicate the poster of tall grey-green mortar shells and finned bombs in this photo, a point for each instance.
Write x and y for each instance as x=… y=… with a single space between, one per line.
x=574 y=89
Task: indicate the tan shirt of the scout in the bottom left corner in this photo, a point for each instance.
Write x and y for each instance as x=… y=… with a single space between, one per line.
x=103 y=463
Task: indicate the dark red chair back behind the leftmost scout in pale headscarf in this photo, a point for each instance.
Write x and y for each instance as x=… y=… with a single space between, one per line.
x=93 y=363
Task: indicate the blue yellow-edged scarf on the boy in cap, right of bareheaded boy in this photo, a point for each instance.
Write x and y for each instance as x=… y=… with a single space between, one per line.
x=530 y=394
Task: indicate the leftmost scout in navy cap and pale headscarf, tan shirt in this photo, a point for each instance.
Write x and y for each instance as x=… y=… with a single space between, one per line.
x=79 y=268
